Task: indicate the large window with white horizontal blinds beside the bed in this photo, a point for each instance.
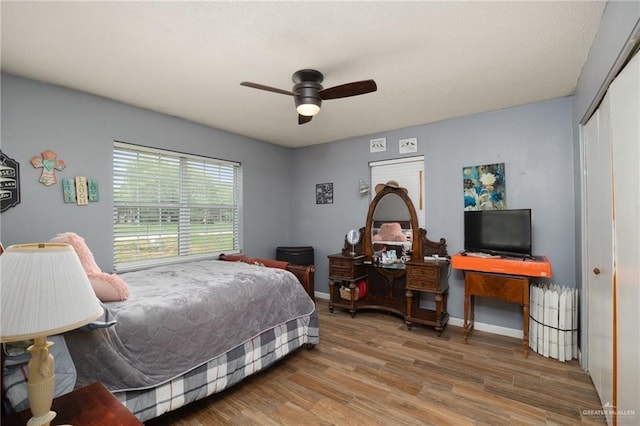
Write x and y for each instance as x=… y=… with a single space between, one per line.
x=170 y=206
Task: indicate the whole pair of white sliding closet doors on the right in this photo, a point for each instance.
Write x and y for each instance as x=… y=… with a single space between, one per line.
x=612 y=166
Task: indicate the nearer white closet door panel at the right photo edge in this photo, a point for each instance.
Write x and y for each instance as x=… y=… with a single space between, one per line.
x=625 y=125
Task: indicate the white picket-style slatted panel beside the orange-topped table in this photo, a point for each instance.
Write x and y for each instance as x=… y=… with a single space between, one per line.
x=553 y=321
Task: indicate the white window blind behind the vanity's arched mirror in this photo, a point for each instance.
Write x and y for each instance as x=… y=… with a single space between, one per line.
x=409 y=173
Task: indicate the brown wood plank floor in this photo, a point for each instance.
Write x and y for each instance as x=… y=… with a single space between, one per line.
x=370 y=370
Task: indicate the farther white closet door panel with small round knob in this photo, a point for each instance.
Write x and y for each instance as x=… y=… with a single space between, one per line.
x=599 y=244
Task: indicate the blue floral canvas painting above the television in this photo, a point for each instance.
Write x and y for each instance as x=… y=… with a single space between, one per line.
x=484 y=187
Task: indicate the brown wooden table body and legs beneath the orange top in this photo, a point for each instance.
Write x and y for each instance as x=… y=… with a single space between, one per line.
x=510 y=288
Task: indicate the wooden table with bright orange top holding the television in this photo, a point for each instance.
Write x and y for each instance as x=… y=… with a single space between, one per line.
x=499 y=278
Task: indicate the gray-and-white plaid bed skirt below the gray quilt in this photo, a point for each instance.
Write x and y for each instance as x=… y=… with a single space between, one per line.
x=223 y=371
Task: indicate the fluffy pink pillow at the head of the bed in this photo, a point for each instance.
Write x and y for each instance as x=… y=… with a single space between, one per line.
x=108 y=287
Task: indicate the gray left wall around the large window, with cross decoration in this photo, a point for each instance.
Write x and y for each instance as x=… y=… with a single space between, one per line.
x=81 y=129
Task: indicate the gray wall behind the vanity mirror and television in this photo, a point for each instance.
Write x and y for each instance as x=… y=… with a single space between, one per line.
x=535 y=143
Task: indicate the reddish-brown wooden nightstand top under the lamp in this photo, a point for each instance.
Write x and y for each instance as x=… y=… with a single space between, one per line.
x=91 y=405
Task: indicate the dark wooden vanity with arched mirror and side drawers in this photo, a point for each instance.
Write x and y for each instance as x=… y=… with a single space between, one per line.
x=383 y=265
